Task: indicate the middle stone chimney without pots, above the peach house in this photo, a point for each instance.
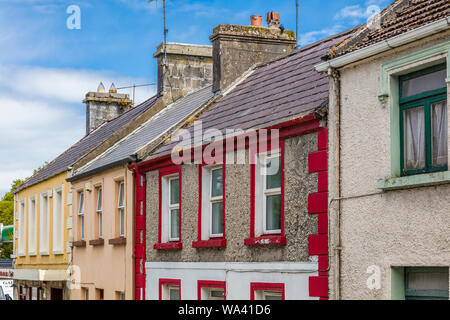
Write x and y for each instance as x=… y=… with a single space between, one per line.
x=189 y=68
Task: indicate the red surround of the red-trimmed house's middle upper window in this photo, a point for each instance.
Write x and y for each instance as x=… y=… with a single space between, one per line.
x=213 y=242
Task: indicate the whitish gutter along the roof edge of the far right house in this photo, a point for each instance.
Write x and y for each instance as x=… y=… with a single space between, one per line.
x=385 y=45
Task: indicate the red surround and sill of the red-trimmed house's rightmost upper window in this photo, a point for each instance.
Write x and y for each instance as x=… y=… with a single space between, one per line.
x=279 y=239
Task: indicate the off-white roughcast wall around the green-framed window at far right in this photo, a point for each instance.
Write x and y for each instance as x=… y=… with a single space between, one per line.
x=385 y=229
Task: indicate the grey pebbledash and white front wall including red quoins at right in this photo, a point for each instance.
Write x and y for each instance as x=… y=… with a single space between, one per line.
x=295 y=264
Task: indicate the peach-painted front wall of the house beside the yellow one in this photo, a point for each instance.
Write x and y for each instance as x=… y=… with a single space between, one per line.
x=108 y=267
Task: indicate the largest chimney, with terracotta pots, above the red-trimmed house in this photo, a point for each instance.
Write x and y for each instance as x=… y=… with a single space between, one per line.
x=237 y=48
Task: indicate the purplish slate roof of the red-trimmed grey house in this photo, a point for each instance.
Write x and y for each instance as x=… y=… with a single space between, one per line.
x=275 y=92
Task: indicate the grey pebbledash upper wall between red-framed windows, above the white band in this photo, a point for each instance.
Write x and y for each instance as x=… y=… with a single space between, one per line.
x=298 y=223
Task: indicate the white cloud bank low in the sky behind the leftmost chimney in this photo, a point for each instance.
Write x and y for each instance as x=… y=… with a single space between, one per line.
x=42 y=114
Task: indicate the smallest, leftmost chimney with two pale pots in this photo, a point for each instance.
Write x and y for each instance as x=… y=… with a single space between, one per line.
x=102 y=106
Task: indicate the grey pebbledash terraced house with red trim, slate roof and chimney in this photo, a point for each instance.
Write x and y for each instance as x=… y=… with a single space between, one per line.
x=219 y=225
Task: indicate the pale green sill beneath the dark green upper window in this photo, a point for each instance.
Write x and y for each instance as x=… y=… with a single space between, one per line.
x=415 y=181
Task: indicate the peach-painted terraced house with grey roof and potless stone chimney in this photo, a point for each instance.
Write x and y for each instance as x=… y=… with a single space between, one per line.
x=104 y=188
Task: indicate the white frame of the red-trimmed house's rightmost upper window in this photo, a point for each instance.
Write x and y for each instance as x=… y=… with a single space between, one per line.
x=261 y=192
